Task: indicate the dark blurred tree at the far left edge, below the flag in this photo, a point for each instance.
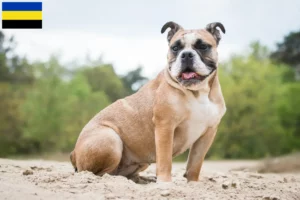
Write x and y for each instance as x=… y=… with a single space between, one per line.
x=15 y=78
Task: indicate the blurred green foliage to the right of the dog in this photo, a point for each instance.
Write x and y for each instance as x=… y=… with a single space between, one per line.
x=261 y=112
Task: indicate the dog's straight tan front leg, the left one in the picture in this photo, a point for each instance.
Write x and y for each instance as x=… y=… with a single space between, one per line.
x=164 y=147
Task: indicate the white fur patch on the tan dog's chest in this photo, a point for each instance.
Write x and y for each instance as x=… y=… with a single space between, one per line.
x=203 y=114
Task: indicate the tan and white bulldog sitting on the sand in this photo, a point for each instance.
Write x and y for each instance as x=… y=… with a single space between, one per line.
x=180 y=109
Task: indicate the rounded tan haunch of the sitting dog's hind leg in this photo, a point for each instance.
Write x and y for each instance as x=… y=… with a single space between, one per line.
x=99 y=151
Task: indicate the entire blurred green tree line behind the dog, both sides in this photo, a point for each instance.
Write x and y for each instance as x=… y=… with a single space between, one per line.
x=44 y=105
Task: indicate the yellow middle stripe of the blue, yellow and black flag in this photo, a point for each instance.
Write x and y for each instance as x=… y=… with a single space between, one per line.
x=22 y=15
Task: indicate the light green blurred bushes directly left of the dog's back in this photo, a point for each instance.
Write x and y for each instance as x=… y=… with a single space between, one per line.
x=56 y=110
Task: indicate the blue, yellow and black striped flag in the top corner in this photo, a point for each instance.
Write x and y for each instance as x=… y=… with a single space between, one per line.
x=22 y=15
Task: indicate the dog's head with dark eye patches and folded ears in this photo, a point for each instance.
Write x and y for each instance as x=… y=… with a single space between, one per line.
x=192 y=55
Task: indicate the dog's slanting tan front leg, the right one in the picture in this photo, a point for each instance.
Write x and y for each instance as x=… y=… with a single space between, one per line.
x=197 y=154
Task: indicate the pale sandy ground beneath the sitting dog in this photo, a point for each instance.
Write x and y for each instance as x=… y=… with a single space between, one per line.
x=37 y=179
